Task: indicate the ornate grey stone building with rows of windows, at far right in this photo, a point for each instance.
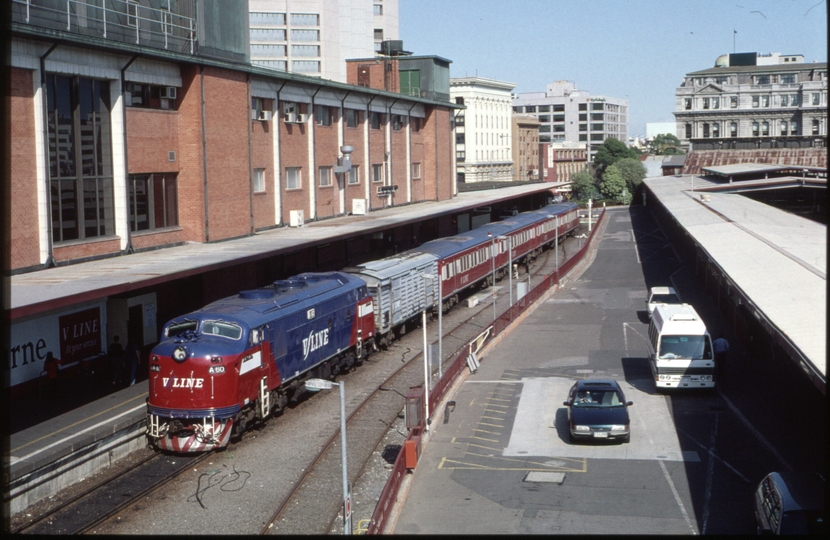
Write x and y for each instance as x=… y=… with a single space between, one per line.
x=749 y=100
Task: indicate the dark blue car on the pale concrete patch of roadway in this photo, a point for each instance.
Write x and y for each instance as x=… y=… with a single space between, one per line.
x=597 y=409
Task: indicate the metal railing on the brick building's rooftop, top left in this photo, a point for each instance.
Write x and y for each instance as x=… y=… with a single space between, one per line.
x=118 y=20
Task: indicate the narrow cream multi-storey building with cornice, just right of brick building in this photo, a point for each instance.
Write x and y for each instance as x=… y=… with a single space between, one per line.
x=483 y=129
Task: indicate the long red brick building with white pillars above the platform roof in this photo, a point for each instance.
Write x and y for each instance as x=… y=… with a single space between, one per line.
x=138 y=128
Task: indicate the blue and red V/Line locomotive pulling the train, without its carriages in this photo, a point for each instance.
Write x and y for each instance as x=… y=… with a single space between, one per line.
x=242 y=358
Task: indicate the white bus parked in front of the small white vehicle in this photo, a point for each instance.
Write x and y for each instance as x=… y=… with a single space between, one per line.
x=680 y=348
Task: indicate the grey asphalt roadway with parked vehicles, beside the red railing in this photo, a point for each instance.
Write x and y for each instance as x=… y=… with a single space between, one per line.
x=499 y=461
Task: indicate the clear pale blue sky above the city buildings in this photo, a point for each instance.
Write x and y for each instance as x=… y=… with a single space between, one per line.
x=638 y=50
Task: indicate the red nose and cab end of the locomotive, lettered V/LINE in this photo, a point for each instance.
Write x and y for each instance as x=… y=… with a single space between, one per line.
x=203 y=378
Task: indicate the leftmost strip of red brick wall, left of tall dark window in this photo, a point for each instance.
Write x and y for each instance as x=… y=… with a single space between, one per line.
x=23 y=236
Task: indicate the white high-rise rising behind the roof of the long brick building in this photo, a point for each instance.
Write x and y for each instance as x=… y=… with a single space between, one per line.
x=315 y=37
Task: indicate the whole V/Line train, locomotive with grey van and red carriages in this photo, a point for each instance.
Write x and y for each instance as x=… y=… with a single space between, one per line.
x=241 y=359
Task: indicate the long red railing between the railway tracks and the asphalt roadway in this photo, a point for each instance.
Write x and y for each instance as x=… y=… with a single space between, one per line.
x=389 y=495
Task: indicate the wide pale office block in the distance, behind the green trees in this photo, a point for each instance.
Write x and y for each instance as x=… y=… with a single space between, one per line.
x=568 y=114
